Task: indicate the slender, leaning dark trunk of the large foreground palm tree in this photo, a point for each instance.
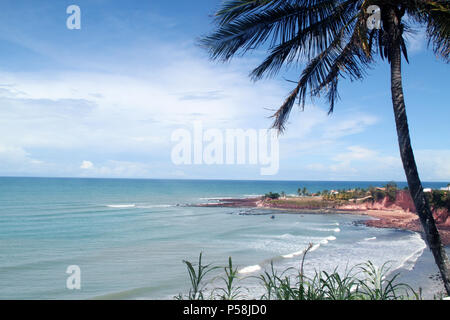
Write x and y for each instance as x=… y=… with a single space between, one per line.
x=409 y=164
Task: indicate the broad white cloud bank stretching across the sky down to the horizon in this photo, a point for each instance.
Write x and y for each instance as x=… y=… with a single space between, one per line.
x=123 y=121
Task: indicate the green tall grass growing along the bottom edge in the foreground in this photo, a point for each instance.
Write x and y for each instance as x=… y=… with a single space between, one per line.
x=361 y=282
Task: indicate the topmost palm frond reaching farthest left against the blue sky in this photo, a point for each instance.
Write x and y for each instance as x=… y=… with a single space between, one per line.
x=271 y=24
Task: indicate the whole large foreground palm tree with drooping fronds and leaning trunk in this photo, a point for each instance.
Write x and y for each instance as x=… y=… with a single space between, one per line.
x=334 y=37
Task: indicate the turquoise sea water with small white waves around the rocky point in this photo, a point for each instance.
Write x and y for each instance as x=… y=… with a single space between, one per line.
x=129 y=237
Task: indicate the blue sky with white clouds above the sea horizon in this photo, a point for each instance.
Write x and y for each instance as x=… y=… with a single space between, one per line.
x=104 y=100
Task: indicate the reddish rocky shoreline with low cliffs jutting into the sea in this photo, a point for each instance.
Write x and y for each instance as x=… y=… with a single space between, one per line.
x=386 y=215
